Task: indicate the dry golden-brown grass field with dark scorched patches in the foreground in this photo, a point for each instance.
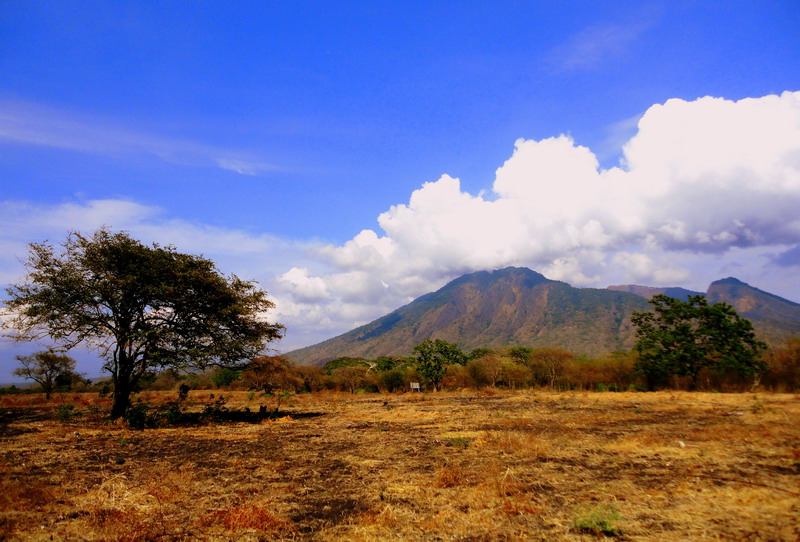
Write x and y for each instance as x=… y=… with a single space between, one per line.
x=527 y=465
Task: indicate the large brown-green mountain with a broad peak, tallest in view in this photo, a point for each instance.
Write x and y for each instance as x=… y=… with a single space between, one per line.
x=507 y=307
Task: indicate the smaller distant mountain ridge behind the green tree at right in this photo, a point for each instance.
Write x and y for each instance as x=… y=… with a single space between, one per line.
x=774 y=318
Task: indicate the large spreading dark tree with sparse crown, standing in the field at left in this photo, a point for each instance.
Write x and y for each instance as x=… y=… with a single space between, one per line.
x=142 y=307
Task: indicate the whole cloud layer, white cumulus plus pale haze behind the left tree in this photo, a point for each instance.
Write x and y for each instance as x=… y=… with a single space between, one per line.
x=709 y=188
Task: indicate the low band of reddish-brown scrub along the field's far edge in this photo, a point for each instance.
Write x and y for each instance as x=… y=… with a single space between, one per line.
x=506 y=368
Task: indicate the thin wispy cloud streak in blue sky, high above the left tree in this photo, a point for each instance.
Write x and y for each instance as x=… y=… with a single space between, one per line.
x=27 y=123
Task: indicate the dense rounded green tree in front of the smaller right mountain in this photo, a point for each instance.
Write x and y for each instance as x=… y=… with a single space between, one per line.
x=684 y=338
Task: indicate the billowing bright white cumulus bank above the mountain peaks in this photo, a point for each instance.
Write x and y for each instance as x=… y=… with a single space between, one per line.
x=709 y=180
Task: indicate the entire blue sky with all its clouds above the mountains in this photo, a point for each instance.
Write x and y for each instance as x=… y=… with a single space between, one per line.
x=352 y=156
